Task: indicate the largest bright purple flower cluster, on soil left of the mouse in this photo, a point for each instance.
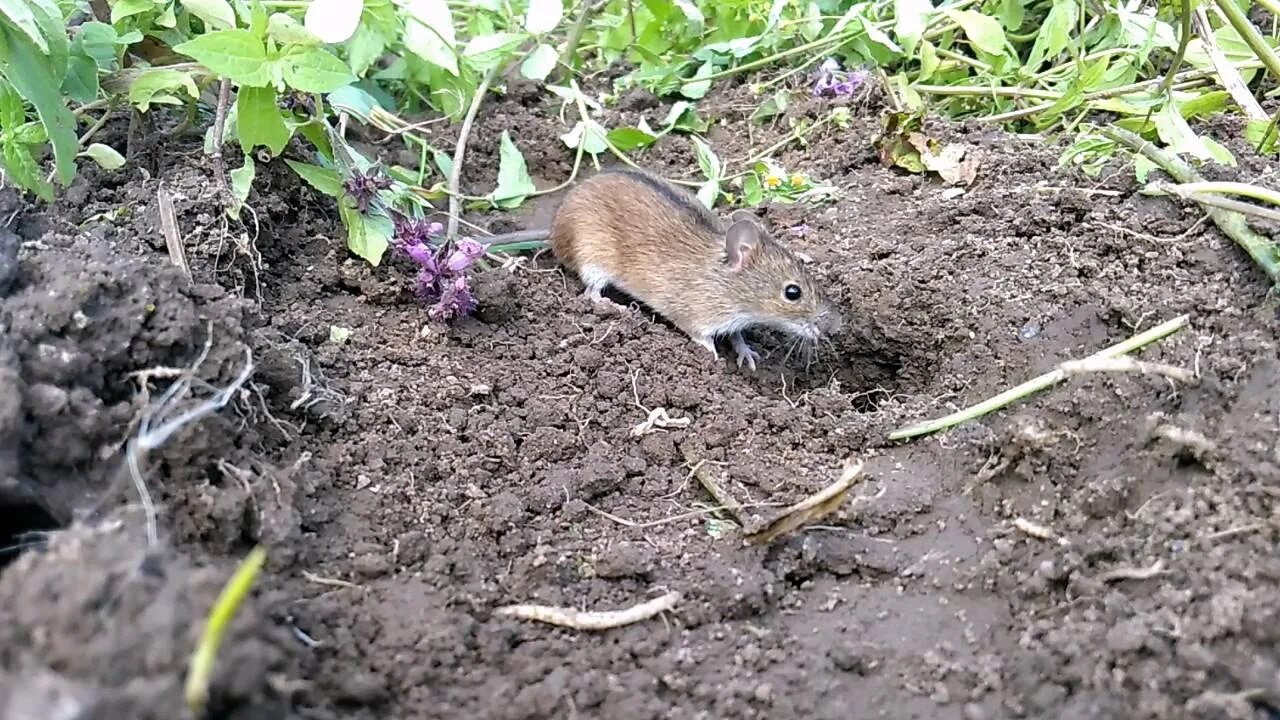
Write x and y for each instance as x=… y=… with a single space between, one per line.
x=442 y=280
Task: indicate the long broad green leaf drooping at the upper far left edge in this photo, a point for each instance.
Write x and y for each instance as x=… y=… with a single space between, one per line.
x=30 y=75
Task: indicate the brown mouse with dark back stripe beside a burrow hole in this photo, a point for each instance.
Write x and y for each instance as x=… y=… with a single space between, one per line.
x=659 y=244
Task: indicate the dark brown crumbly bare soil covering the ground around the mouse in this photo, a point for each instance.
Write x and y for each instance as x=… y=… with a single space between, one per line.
x=1104 y=549
